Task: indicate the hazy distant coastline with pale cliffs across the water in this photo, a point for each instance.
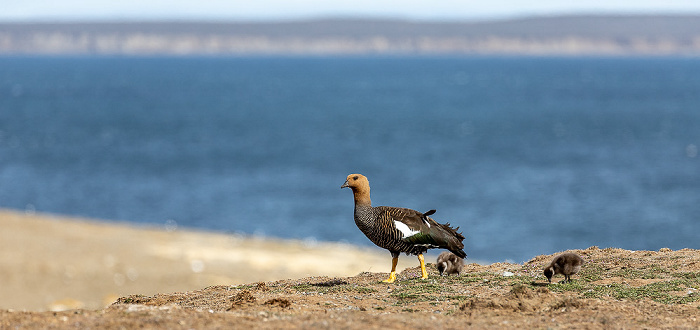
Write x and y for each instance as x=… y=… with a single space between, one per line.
x=558 y=36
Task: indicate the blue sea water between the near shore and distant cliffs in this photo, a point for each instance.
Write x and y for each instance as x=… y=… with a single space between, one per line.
x=526 y=155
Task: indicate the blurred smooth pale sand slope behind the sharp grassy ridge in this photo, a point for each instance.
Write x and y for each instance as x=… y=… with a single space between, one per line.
x=53 y=263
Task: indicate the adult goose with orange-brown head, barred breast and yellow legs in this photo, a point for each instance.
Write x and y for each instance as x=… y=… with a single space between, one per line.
x=400 y=229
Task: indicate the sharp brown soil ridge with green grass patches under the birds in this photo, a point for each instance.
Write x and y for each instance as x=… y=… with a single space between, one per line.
x=615 y=289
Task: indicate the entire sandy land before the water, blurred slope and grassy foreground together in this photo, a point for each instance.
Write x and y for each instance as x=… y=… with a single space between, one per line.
x=101 y=276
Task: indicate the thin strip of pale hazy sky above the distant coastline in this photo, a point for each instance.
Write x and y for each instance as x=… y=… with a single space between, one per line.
x=18 y=10
